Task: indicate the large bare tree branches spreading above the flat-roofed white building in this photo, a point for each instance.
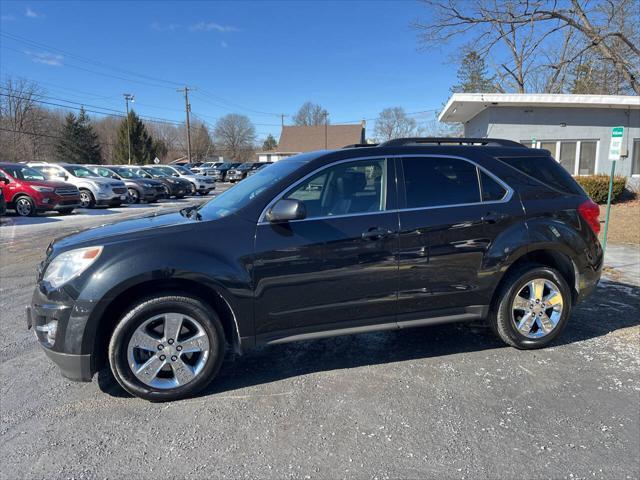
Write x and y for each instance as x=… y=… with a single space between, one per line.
x=527 y=28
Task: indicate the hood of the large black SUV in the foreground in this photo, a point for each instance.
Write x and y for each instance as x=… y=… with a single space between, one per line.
x=105 y=233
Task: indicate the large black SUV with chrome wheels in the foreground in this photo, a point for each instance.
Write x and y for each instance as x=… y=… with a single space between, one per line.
x=407 y=233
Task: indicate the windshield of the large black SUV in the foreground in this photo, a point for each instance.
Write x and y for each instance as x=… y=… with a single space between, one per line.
x=241 y=194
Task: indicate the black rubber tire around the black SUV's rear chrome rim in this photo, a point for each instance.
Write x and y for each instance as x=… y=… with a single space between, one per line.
x=500 y=317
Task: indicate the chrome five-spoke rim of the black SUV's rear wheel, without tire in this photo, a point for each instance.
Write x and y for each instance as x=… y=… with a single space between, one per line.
x=537 y=308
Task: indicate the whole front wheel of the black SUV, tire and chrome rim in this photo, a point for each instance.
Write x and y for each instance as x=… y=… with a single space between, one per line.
x=167 y=348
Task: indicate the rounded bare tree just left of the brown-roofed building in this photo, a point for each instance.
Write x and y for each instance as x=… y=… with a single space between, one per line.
x=234 y=134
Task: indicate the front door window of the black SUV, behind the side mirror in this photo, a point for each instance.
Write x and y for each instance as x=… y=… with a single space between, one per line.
x=346 y=188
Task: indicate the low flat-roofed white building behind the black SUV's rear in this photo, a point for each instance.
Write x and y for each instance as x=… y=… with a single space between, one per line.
x=576 y=129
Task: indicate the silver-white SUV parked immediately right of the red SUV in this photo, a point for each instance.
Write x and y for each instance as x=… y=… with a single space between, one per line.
x=94 y=190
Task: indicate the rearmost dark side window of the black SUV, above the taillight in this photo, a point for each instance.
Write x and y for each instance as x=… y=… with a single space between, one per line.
x=545 y=170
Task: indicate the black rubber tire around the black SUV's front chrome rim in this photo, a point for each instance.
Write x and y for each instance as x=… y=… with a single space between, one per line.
x=145 y=310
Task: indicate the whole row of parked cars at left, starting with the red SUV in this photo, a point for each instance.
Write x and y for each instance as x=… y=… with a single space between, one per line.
x=33 y=187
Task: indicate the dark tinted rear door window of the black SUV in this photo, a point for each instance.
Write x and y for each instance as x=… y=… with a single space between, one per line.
x=432 y=182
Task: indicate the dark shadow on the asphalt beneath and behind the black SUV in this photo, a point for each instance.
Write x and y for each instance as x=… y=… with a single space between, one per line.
x=614 y=306
